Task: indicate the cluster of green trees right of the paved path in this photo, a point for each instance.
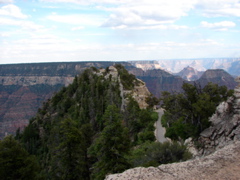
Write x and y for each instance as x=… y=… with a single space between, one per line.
x=187 y=114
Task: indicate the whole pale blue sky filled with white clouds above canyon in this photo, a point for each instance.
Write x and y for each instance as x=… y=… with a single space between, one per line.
x=102 y=30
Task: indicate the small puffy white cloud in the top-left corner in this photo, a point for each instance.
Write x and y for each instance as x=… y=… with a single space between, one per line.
x=13 y=11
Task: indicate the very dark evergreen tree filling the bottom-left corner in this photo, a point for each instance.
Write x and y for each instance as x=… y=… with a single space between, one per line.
x=15 y=161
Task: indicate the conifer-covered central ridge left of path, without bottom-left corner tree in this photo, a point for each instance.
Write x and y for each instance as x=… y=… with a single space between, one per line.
x=82 y=132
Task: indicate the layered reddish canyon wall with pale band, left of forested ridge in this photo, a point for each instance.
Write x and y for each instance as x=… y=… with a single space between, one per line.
x=24 y=87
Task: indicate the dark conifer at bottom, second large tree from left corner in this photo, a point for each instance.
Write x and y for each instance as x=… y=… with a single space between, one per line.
x=69 y=158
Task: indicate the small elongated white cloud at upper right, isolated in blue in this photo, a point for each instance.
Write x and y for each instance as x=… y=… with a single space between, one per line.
x=220 y=26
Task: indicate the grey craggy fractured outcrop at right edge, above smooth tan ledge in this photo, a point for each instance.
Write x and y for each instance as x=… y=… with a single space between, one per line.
x=225 y=124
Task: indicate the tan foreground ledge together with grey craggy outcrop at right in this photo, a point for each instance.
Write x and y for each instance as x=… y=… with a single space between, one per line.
x=221 y=141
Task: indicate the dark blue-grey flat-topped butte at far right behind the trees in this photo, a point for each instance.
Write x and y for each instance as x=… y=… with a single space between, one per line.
x=217 y=76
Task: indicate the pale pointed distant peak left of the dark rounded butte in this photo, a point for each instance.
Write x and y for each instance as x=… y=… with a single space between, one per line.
x=189 y=74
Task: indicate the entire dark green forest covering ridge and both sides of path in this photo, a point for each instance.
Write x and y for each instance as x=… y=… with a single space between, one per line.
x=83 y=133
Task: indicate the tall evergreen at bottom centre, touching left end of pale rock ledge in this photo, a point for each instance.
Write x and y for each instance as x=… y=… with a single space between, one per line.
x=111 y=146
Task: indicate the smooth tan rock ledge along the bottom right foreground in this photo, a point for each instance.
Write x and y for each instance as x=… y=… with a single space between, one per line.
x=222 y=164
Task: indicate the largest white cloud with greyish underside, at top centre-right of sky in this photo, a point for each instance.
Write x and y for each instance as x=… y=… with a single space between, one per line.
x=147 y=13
